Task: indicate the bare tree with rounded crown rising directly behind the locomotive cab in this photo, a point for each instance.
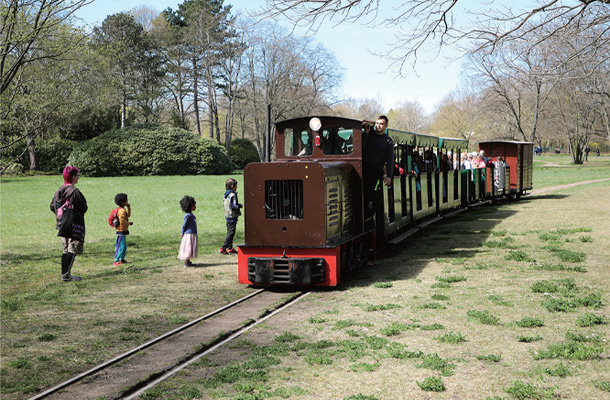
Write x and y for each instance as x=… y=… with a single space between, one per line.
x=292 y=74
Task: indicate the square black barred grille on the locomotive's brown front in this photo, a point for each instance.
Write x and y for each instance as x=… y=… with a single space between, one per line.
x=284 y=199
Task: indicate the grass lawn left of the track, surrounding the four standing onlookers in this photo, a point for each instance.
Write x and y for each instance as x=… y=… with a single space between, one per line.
x=52 y=330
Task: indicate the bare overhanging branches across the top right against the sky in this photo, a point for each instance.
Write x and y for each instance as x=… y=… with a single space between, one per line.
x=422 y=24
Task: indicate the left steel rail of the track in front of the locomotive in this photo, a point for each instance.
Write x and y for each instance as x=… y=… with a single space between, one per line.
x=142 y=347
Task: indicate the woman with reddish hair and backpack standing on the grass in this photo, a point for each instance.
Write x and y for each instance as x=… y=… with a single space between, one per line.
x=70 y=206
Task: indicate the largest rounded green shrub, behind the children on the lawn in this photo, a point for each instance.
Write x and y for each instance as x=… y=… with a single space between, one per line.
x=150 y=150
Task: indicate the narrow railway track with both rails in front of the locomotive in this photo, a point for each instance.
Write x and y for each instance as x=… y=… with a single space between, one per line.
x=130 y=374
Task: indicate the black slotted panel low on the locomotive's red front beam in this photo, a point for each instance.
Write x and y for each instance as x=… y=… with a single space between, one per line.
x=282 y=270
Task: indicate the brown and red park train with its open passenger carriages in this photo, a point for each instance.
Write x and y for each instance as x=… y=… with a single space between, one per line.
x=304 y=217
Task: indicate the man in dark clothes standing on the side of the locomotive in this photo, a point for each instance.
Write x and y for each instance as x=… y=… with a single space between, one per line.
x=377 y=168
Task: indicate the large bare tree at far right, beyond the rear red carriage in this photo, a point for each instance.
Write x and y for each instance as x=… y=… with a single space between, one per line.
x=544 y=91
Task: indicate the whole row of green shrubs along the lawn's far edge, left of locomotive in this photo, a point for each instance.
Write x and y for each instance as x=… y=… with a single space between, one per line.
x=135 y=150
